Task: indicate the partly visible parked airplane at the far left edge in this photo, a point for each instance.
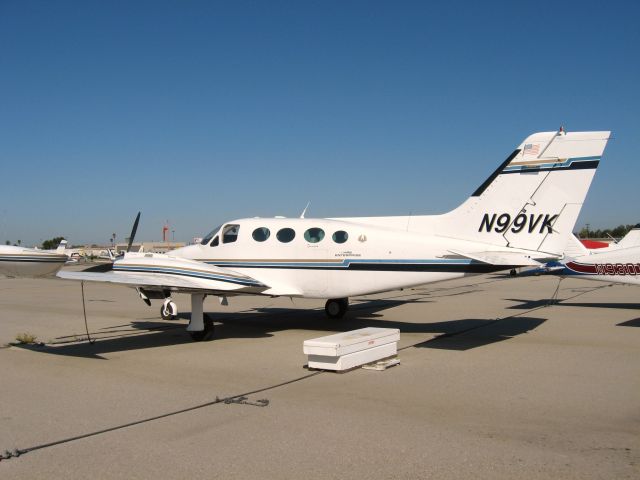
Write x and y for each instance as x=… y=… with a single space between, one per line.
x=30 y=262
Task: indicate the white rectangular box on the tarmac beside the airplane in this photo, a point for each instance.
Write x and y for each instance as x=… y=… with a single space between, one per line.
x=351 y=349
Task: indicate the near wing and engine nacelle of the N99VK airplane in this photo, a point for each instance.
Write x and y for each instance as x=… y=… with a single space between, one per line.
x=161 y=272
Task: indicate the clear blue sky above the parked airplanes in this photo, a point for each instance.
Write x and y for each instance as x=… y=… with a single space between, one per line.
x=201 y=112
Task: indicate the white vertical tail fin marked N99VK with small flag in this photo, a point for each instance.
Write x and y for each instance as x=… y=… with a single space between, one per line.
x=533 y=199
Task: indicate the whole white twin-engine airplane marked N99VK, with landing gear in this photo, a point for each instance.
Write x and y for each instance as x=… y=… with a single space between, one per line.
x=520 y=216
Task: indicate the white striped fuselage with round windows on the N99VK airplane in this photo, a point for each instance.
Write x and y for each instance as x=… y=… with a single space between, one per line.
x=332 y=258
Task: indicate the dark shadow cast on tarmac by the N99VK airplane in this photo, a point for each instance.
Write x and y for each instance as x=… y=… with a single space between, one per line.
x=460 y=334
